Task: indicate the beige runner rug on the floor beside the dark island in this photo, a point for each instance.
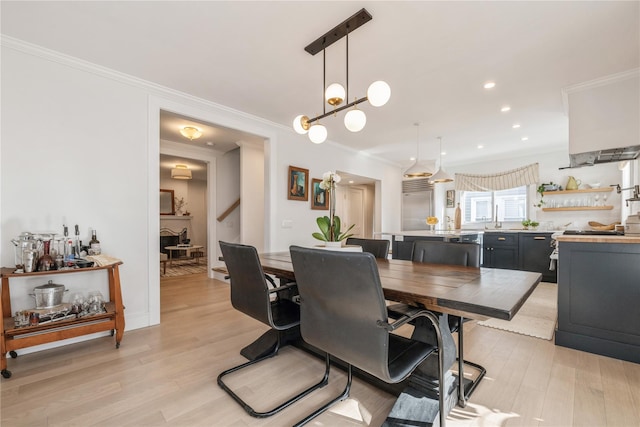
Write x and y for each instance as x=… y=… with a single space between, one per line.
x=536 y=318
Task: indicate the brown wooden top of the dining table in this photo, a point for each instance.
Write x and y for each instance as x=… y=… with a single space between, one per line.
x=472 y=292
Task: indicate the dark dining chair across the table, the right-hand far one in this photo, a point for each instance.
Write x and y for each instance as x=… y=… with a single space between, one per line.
x=449 y=253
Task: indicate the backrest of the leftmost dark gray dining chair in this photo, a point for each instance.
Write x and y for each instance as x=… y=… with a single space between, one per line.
x=249 y=289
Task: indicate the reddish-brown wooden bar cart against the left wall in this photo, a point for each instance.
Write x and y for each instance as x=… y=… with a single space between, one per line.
x=14 y=338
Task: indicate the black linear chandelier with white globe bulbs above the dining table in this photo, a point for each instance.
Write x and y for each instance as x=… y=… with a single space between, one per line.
x=335 y=94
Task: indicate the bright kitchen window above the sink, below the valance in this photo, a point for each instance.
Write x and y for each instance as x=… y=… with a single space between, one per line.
x=479 y=206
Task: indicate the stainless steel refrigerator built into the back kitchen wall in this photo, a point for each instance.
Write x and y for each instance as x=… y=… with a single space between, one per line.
x=417 y=204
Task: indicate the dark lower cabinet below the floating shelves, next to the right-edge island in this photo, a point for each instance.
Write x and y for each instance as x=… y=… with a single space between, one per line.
x=534 y=252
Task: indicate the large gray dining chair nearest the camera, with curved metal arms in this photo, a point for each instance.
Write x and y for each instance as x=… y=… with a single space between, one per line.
x=343 y=313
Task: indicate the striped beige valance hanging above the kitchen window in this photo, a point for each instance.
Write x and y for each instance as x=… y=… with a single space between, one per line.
x=500 y=181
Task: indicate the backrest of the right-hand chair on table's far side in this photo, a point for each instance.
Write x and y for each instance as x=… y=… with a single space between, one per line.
x=435 y=252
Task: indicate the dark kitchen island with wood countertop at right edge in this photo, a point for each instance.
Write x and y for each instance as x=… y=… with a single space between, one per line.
x=598 y=294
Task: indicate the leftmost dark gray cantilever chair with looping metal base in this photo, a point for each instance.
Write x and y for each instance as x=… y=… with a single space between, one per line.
x=253 y=294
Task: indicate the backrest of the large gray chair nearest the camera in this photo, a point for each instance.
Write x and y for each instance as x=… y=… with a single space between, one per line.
x=341 y=301
